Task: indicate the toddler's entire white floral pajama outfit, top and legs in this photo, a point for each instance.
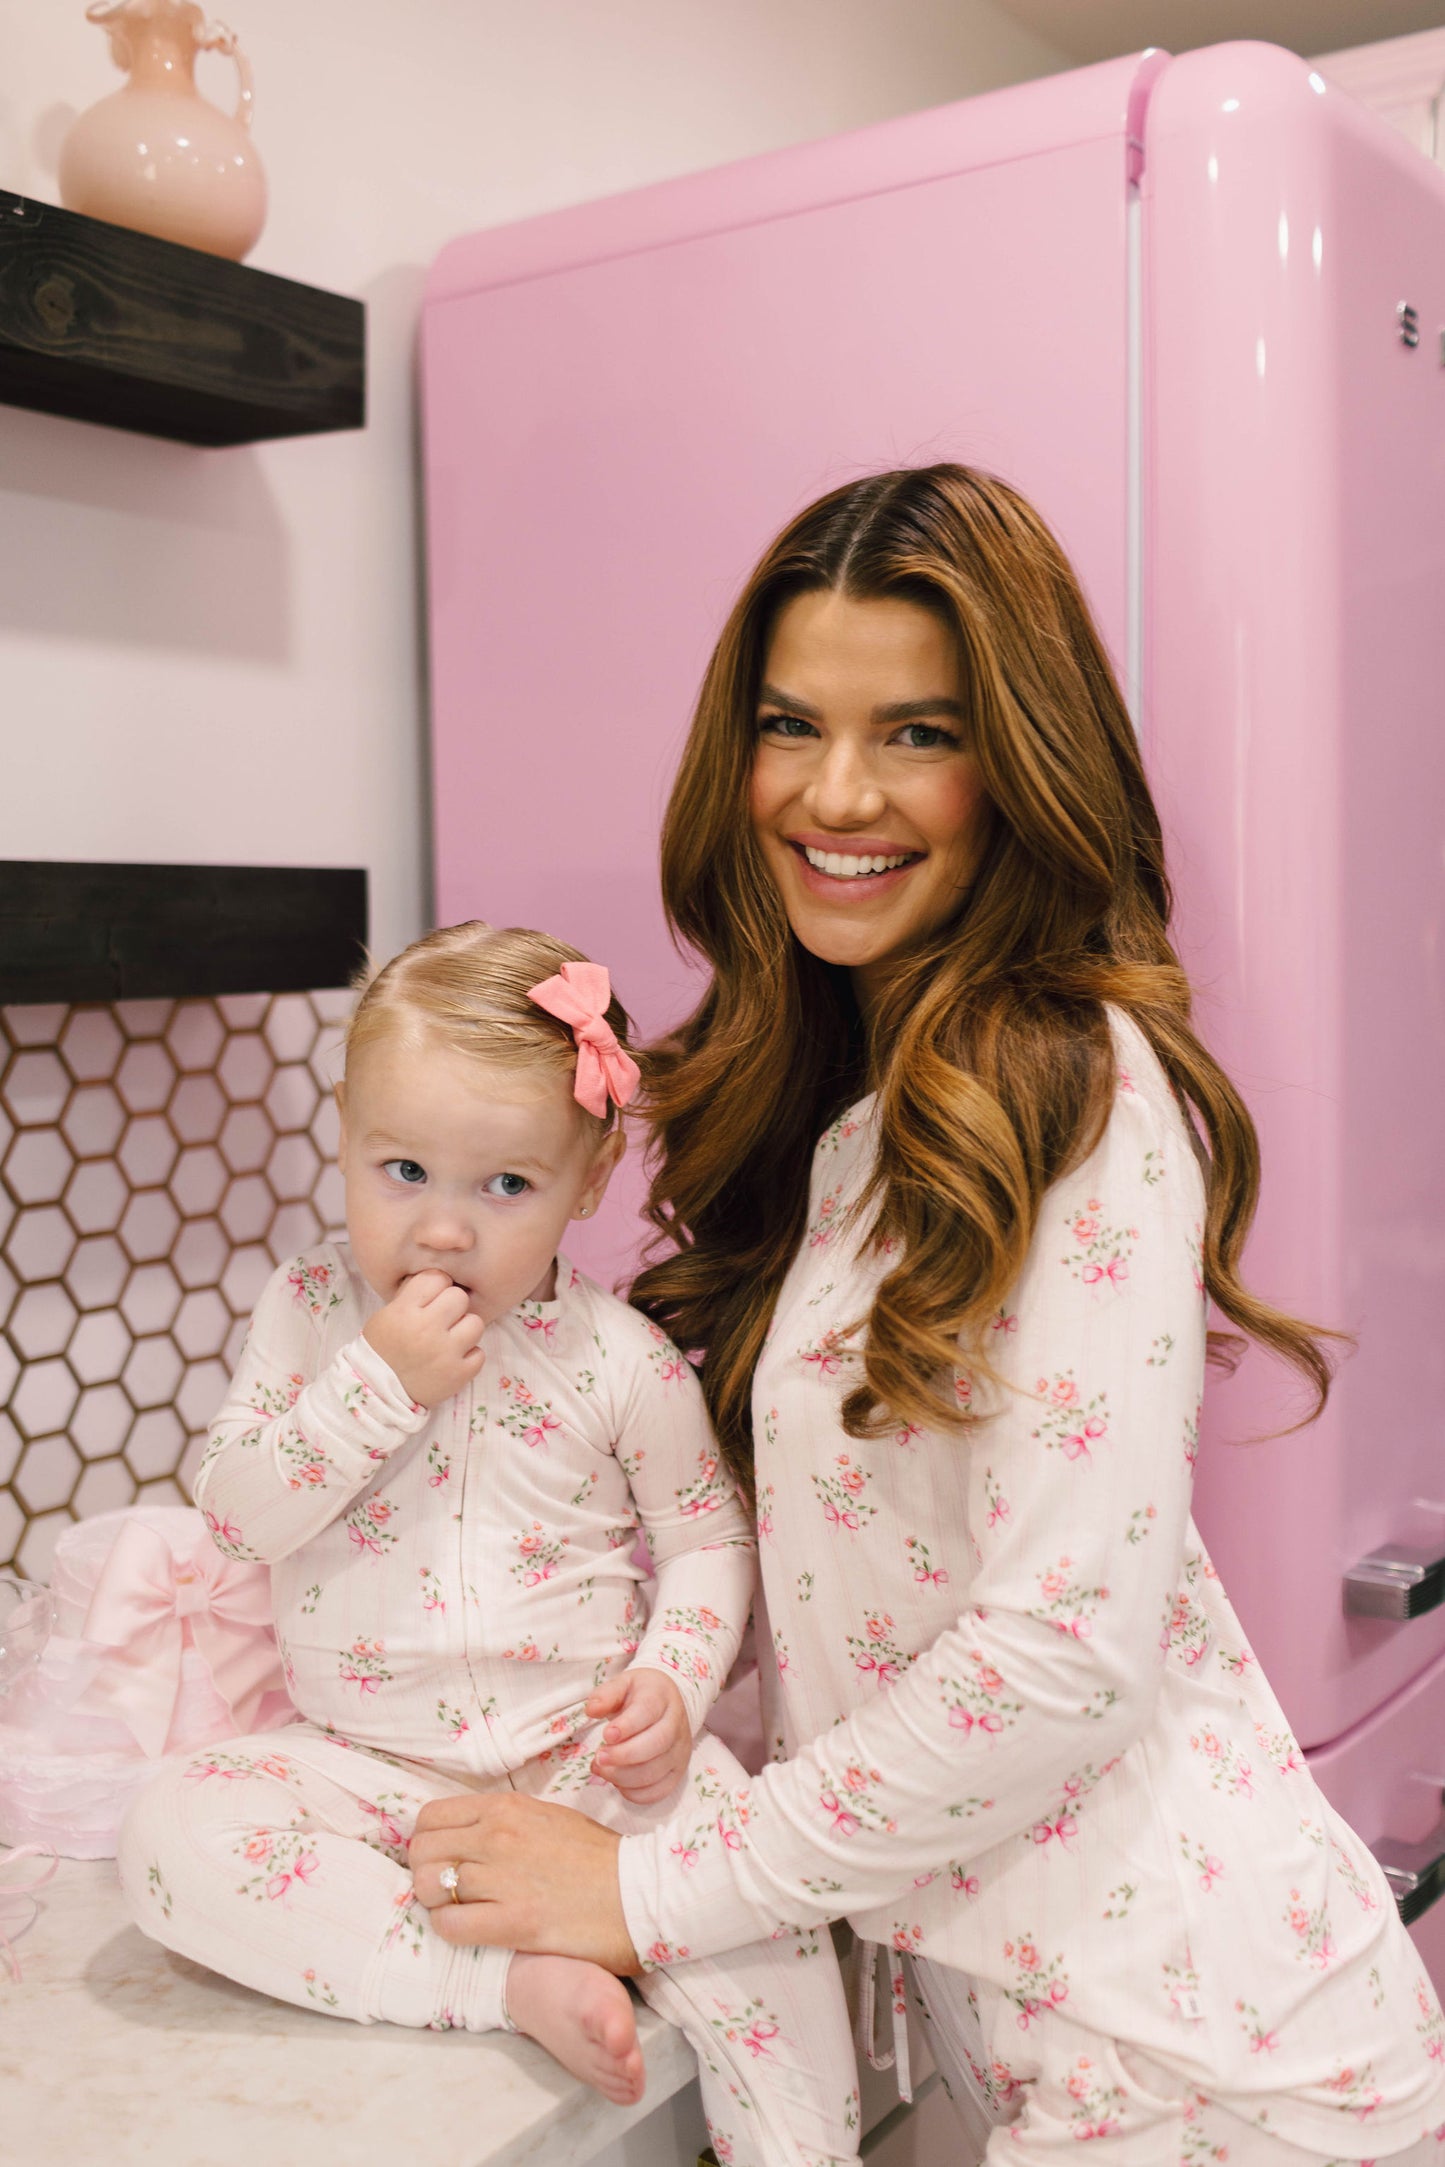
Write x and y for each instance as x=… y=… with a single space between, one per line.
x=450 y=1589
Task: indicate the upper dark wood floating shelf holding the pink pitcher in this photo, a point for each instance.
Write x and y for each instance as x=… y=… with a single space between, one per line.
x=101 y=324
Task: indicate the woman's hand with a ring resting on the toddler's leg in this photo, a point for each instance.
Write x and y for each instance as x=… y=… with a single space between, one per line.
x=532 y=1876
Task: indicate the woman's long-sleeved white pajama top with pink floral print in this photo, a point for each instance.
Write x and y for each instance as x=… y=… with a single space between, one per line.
x=1024 y=1730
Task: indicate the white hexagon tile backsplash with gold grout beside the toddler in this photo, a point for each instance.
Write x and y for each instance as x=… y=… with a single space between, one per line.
x=157 y=1160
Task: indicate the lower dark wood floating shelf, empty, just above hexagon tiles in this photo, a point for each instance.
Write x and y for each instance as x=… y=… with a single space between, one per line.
x=140 y=933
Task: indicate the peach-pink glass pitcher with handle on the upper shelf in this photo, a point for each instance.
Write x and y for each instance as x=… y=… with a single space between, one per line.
x=157 y=155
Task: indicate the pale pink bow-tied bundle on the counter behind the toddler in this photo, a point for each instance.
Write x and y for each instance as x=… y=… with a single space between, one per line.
x=187 y=1659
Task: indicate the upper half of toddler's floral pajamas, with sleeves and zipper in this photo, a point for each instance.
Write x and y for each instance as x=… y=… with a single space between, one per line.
x=452 y=1585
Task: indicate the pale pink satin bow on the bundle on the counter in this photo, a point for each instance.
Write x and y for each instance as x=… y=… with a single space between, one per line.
x=144 y=1609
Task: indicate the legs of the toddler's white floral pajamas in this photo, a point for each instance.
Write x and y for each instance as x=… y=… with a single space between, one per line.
x=283 y=1863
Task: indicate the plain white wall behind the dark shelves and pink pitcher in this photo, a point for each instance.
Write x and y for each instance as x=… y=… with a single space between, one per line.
x=216 y=656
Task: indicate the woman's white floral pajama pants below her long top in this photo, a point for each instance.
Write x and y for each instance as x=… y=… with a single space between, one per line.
x=1132 y=2112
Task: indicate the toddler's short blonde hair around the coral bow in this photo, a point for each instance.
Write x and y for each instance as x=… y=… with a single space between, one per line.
x=469 y=987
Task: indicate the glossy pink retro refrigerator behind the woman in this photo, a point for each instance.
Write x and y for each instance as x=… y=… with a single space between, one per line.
x=1195 y=309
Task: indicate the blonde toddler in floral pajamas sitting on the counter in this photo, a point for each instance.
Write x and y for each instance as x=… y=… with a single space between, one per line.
x=445 y=1442
